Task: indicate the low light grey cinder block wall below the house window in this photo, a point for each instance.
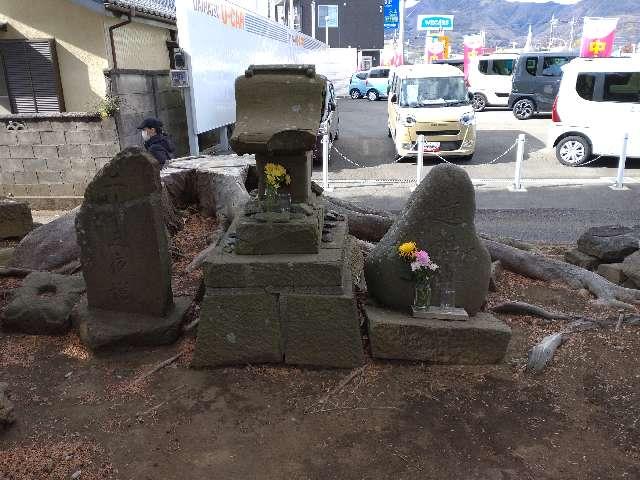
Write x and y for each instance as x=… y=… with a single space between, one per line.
x=53 y=154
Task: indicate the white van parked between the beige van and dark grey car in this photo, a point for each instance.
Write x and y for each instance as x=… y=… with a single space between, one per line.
x=490 y=79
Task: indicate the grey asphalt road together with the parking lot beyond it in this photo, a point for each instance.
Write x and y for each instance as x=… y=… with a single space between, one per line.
x=565 y=203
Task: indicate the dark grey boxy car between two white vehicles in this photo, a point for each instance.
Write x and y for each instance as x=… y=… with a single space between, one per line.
x=535 y=82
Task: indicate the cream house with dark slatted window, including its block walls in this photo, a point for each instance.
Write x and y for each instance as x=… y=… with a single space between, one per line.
x=61 y=61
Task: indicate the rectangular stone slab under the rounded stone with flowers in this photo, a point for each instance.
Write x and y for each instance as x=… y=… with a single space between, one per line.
x=483 y=339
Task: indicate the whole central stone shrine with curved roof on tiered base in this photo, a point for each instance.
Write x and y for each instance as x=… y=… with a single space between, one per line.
x=276 y=292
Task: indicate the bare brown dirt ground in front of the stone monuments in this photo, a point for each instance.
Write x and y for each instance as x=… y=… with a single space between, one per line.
x=80 y=412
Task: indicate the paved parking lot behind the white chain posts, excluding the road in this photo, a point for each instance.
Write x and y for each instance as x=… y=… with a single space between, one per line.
x=363 y=140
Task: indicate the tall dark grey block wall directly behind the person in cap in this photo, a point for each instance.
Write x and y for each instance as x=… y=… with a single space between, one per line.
x=149 y=94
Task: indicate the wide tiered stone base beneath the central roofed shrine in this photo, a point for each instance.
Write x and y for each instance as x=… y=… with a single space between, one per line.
x=293 y=308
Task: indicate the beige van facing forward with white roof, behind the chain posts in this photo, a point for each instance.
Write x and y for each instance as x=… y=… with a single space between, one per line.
x=431 y=100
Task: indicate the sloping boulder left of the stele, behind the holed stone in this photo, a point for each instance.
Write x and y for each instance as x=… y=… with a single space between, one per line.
x=52 y=247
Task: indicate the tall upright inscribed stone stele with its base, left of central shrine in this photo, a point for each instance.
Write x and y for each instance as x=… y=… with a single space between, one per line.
x=124 y=255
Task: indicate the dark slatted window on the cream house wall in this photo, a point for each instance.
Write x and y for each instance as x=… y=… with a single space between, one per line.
x=32 y=76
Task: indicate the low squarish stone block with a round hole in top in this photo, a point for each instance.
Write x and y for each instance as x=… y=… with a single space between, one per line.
x=43 y=304
